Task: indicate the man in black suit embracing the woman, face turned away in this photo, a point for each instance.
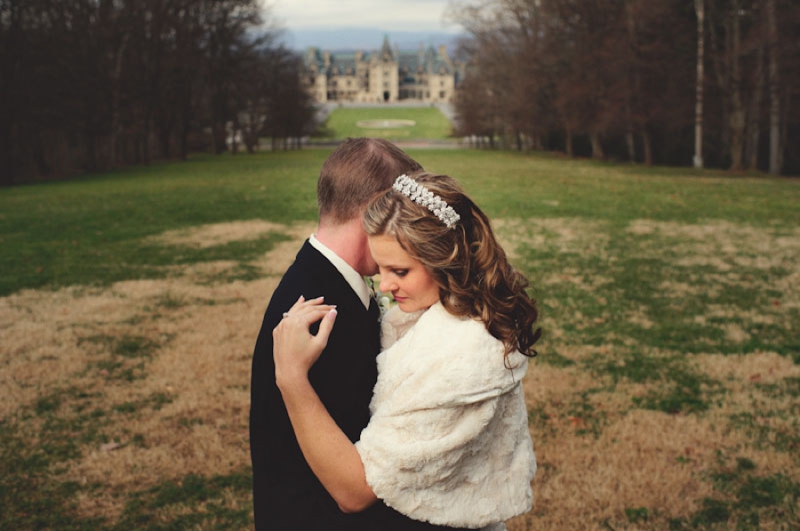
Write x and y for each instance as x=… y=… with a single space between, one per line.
x=331 y=263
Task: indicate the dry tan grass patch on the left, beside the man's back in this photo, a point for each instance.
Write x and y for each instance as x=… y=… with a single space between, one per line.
x=206 y=333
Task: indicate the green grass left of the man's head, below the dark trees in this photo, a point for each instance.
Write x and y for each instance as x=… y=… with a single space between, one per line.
x=92 y=230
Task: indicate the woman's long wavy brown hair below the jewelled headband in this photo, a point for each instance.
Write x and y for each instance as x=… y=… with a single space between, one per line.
x=470 y=267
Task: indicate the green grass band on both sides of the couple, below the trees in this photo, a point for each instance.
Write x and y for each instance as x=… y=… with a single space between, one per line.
x=92 y=230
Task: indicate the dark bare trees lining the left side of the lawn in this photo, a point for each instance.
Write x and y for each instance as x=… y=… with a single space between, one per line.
x=89 y=85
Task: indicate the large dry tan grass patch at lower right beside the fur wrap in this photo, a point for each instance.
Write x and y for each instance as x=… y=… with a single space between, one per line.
x=641 y=458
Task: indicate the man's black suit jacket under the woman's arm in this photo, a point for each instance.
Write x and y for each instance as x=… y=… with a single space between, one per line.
x=286 y=493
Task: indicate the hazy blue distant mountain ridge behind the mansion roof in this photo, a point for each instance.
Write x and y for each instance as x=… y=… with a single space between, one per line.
x=349 y=39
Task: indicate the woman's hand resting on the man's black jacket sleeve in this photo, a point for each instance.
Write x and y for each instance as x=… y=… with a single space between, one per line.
x=295 y=349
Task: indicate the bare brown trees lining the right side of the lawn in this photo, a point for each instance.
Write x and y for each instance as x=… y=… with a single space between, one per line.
x=704 y=82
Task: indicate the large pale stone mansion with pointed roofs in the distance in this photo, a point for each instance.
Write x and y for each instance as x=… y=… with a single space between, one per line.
x=384 y=76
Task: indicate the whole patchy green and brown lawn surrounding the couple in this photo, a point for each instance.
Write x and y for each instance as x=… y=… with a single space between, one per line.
x=666 y=394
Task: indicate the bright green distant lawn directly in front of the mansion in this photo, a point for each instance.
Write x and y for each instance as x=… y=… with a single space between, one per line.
x=429 y=123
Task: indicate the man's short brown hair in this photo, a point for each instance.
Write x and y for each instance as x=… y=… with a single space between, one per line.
x=356 y=171
